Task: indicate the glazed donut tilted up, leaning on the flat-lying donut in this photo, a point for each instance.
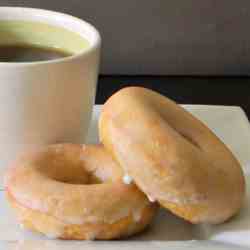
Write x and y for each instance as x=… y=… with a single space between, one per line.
x=172 y=156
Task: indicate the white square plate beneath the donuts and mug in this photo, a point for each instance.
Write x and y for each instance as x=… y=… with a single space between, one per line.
x=167 y=231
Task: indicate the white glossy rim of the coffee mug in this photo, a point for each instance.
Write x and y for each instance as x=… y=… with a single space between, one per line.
x=93 y=45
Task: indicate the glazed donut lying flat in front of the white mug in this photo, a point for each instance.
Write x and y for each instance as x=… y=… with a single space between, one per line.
x=75 y=192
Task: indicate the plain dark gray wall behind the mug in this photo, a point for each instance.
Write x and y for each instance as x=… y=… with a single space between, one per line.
x=165 y=37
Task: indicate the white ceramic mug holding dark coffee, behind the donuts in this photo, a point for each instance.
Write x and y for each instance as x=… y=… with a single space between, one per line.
x=47 y=102
